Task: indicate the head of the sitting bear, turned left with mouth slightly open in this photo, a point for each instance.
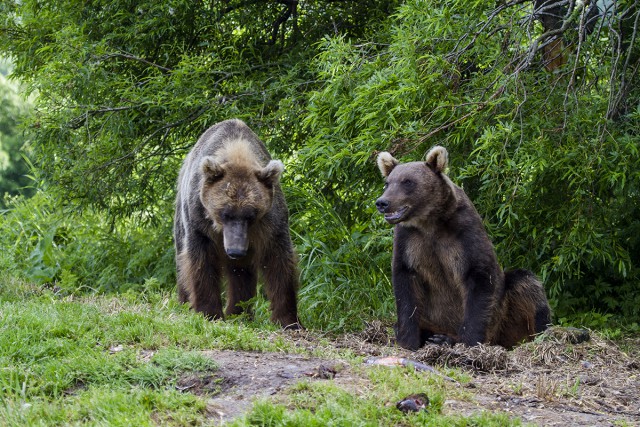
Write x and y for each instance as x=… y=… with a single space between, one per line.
x=416 y=191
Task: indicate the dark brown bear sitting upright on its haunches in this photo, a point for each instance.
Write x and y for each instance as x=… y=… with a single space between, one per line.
x=446 y=279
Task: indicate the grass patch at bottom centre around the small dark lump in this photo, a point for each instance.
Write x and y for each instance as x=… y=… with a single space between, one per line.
x=371 y=403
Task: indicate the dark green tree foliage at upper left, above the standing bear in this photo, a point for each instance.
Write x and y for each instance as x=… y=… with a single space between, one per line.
x=124 y=90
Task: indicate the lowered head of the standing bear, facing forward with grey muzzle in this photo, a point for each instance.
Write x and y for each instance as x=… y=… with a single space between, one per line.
x=236 y=193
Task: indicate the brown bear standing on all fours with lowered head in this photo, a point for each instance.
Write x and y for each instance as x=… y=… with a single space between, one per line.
x=231 y=219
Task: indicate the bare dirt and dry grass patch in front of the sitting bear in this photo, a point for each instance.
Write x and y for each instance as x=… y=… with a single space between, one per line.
x=564 y=378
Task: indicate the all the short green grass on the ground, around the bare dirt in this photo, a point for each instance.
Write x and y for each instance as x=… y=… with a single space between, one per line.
x=117 y=360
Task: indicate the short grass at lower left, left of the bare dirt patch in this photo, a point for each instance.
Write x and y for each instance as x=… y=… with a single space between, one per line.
x=105 y=360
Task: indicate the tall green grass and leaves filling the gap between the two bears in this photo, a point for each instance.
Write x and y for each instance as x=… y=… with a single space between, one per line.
x=343 y=266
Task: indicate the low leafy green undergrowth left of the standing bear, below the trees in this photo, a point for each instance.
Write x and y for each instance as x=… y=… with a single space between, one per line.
x=46 y=243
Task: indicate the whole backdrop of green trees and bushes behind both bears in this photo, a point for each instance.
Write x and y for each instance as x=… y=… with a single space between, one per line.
x=537 y=102
